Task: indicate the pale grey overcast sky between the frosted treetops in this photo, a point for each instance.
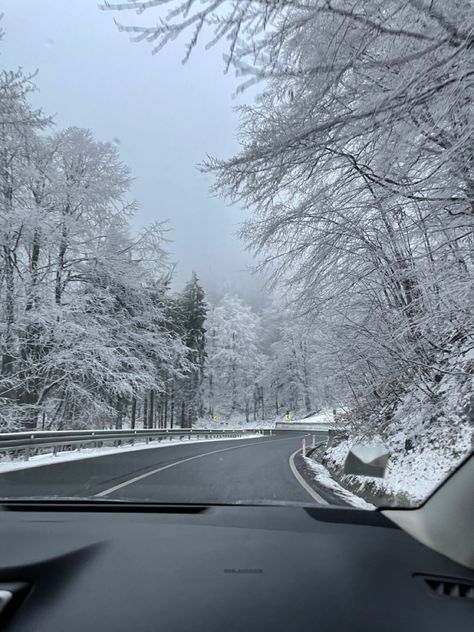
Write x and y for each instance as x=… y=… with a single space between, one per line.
x=165 y=116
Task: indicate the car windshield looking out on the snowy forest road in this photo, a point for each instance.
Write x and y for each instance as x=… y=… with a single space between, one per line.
x=246 y=278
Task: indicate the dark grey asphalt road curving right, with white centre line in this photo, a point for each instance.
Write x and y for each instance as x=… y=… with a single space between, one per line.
x=255 y=469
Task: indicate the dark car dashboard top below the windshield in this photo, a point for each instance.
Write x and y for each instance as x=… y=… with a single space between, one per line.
x=223 y=569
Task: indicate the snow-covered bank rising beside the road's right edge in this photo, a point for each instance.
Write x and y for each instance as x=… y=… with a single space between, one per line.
x=427 y=435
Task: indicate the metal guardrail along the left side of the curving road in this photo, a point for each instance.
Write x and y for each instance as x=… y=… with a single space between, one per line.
x=25 y=444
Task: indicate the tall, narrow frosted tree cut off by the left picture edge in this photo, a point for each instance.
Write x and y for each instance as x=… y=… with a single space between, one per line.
x=19 y=126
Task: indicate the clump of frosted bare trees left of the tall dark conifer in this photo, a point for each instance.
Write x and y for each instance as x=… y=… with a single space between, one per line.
x=85 y=331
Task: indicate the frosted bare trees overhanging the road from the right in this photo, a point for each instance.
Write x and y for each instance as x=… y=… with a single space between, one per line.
x=357 y=169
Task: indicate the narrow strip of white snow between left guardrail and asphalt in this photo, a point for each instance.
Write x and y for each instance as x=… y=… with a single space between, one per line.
x=87 y=453
